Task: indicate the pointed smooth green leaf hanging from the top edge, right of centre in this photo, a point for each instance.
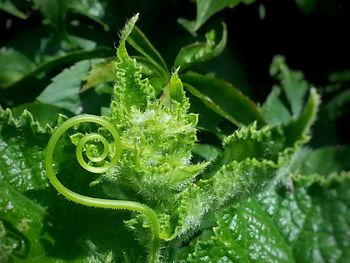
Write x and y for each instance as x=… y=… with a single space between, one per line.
x=207 y=8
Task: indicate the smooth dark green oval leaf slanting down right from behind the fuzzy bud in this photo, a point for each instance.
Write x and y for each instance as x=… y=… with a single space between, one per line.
x=223 y=98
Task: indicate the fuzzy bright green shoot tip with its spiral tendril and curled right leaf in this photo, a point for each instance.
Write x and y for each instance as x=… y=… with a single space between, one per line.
x=154 y=166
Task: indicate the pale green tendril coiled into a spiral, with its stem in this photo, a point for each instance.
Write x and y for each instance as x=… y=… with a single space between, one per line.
x=90 y=153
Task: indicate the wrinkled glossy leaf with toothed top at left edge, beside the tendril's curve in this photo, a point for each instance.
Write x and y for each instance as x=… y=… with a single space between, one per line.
x=21 y=158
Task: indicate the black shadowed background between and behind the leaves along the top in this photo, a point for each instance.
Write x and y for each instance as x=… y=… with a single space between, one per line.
x=315 y=43
